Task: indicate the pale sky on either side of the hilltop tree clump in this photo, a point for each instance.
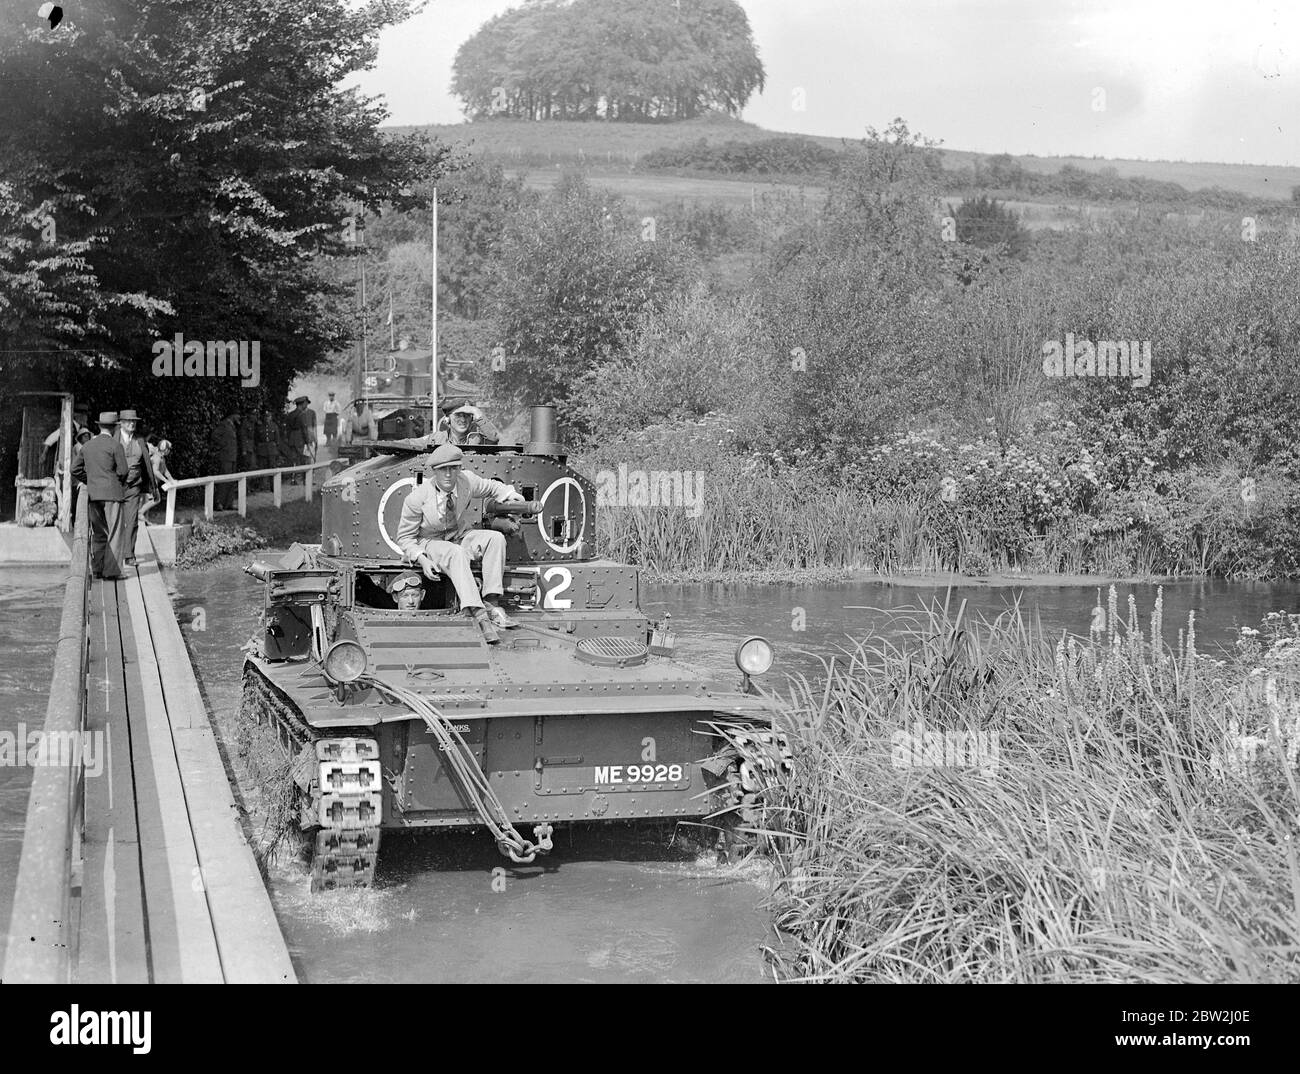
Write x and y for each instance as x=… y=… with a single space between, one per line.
x=1151 y=80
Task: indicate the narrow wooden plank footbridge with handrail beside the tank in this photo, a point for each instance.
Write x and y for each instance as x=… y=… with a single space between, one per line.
x=136 y=869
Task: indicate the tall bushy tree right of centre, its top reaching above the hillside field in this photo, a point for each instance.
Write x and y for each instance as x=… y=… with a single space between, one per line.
x=851 y=311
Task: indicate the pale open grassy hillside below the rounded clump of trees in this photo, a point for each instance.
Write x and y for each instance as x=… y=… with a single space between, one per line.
x=614 y=148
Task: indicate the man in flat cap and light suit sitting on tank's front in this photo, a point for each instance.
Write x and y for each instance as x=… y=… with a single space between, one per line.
x=435 y=534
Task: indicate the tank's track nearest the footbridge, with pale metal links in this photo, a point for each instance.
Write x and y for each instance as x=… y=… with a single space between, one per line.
x=340 y=782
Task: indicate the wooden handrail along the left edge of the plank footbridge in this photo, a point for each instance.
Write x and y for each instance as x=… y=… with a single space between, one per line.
x=41 y=926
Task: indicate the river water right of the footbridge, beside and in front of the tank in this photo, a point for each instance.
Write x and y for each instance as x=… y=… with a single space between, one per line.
x=616 y=904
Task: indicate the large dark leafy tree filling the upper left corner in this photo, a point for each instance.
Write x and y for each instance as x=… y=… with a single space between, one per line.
x=200 y=162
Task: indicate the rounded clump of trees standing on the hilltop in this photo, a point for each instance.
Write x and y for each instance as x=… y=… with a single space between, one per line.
x=626 y=60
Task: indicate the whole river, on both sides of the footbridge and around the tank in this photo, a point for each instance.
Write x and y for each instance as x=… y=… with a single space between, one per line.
x=617 y=906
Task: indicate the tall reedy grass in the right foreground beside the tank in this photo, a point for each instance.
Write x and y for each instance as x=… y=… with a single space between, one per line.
x=1123 y=834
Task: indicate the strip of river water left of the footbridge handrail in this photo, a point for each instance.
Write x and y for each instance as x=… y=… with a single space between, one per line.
x=32 y=604
